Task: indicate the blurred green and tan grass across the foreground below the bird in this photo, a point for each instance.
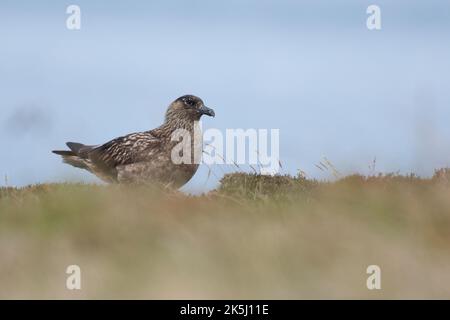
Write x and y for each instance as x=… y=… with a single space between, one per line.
x=254 y=237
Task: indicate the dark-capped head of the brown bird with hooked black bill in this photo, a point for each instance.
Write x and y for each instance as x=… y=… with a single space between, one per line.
x=188 y=107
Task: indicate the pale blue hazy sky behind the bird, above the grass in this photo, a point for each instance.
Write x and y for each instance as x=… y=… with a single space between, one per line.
x=312 y=69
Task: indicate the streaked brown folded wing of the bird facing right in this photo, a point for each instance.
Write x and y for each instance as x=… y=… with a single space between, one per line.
x=128 y=149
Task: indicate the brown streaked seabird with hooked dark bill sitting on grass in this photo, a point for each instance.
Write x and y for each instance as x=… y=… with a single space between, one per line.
x=146 y=157
